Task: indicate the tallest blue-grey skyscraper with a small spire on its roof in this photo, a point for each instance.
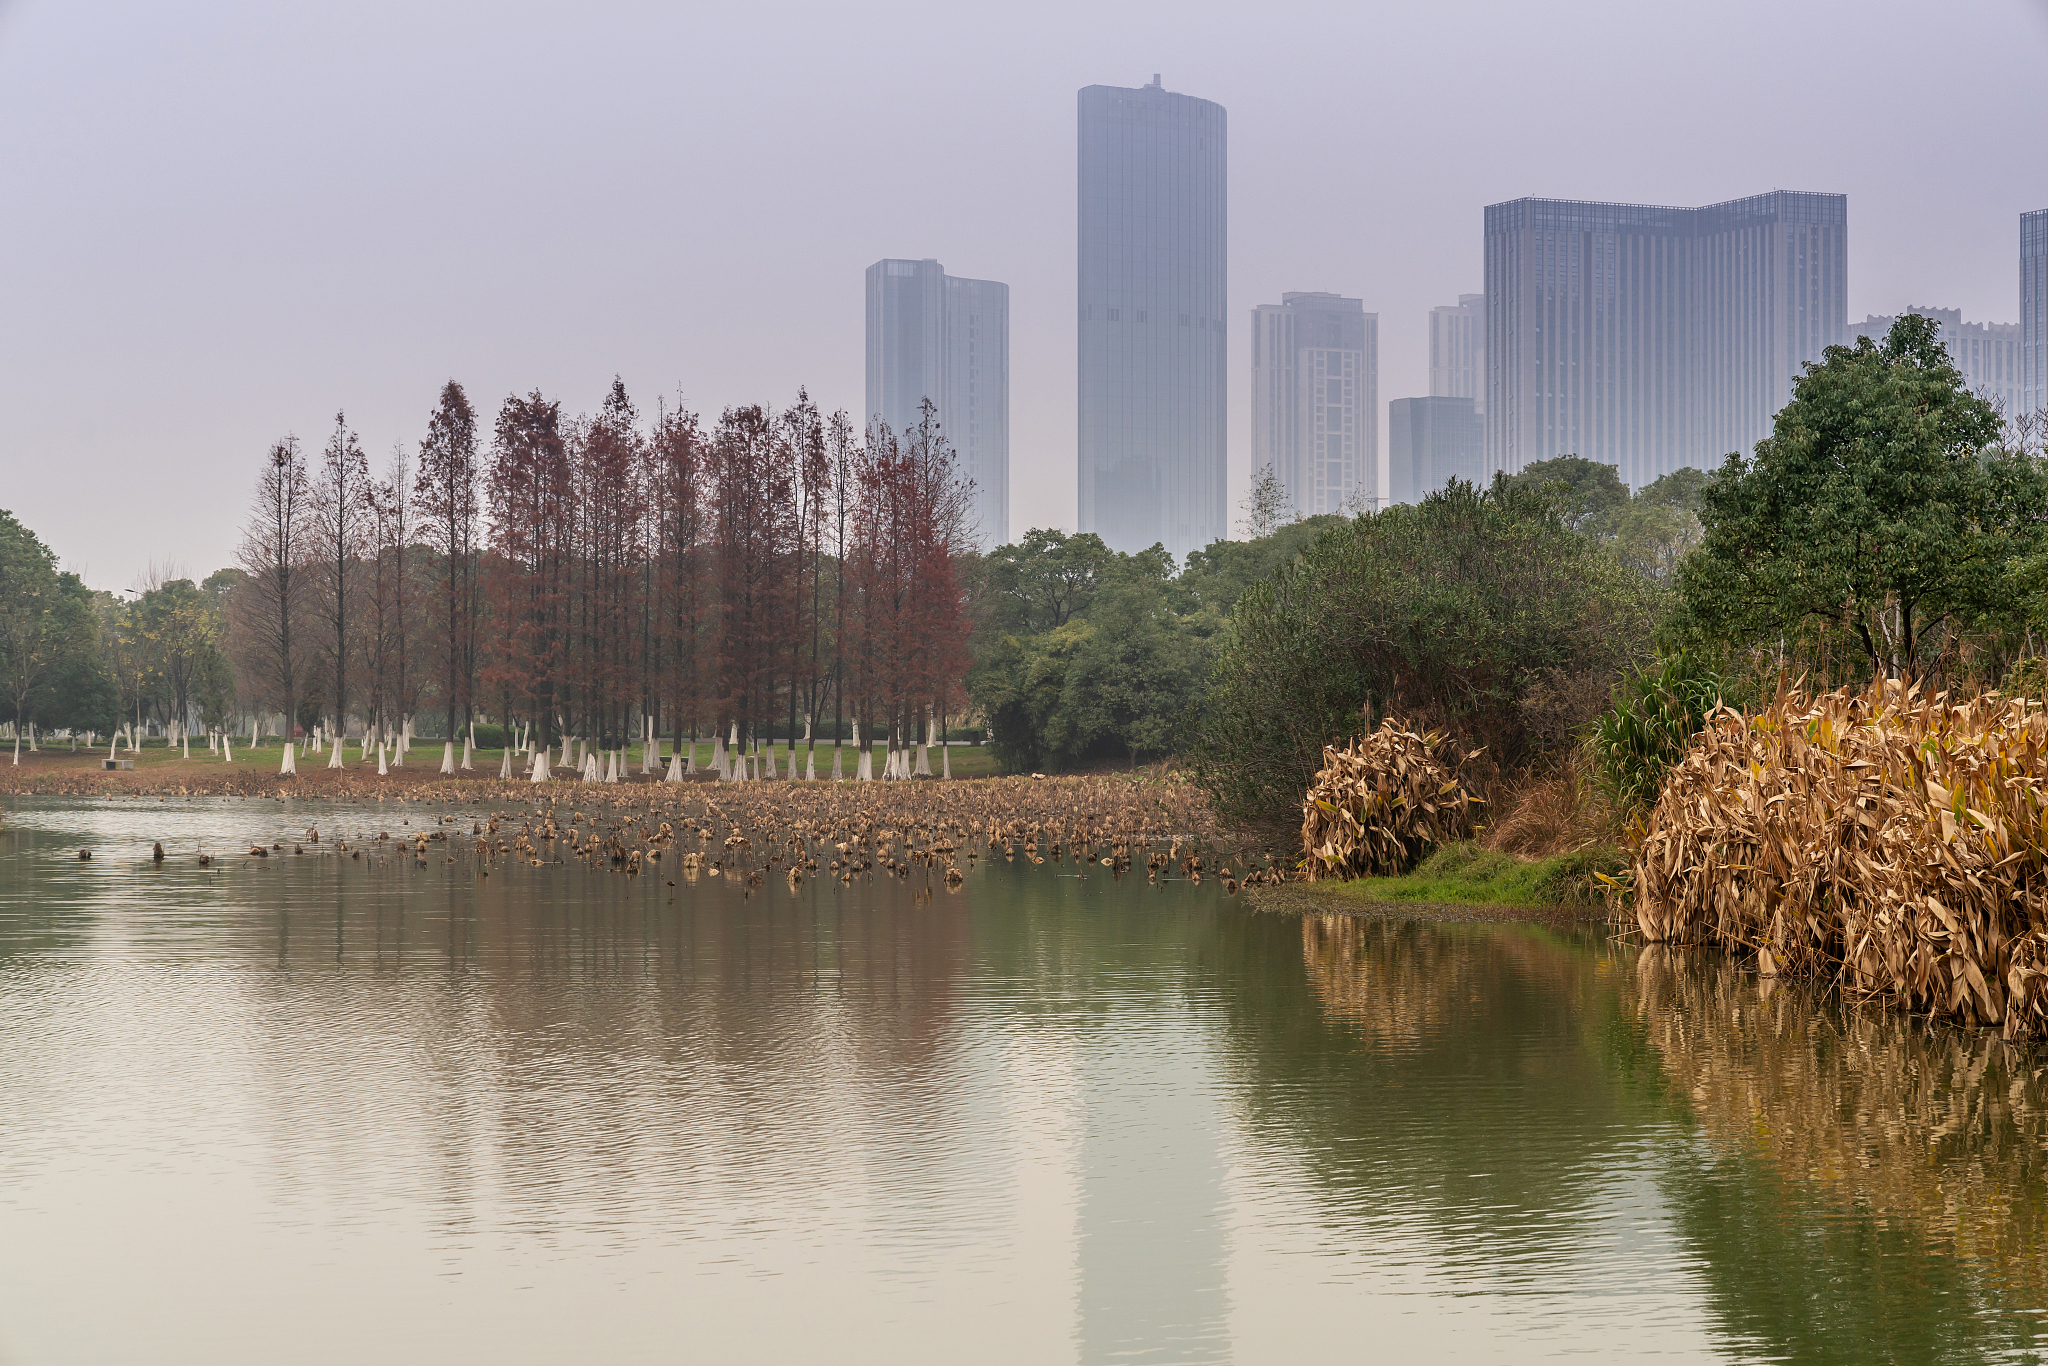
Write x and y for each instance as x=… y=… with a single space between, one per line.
x=1152 y=304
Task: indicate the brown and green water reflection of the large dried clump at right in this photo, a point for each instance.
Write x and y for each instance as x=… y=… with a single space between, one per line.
x=1904 y=1152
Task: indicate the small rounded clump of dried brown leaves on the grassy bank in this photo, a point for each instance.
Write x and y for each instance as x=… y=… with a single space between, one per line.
x=1383 y=802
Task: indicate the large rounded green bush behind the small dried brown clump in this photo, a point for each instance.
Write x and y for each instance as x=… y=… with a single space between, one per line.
x=1447 y=613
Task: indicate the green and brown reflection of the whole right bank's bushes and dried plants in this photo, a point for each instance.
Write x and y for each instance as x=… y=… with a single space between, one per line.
x=1852 y=1185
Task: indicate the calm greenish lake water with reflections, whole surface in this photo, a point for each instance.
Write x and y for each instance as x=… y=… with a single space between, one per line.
x=341 y=1111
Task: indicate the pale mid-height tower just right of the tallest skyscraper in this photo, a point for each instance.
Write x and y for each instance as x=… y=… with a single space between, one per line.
x=1316 y=398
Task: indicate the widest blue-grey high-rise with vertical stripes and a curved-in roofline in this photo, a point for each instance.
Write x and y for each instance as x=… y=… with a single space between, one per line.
x=1654 y=339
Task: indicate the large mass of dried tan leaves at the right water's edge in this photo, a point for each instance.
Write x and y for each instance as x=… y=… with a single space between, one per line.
x=1891 y=841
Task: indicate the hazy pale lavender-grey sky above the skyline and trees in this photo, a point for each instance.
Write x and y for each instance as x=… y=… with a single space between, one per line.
x=224 y=222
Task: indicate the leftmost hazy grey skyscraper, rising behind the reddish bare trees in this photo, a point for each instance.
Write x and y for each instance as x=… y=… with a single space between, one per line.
x=933 y=335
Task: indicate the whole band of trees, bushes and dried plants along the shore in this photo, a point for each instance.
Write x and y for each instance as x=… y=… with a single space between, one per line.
x=1791 y=708
